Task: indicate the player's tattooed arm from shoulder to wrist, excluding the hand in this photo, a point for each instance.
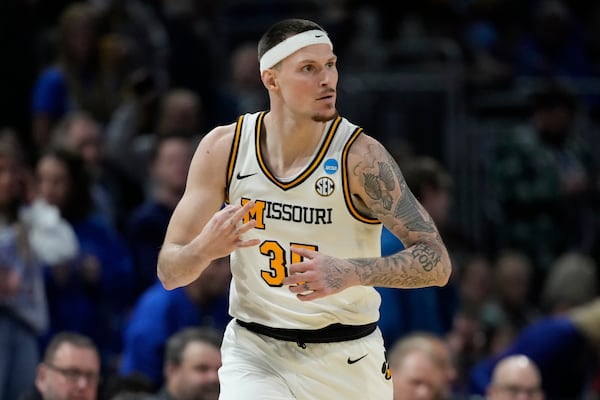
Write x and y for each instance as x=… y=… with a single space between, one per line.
x=379 y=190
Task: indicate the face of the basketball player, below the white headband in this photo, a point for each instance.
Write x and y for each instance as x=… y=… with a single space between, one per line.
x=308 y=81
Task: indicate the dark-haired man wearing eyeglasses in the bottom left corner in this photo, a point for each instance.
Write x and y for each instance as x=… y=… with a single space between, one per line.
x=70 y=369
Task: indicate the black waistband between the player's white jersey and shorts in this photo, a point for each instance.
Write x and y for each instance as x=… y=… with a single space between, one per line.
x=328 y=334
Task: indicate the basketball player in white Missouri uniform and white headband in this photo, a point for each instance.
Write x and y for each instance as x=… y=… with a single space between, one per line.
x=306 y=193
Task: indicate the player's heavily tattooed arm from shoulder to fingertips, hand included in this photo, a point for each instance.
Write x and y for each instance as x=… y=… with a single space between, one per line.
x=378 y=190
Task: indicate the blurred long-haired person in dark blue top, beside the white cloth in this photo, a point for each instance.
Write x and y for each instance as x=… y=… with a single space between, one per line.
x=92 y=294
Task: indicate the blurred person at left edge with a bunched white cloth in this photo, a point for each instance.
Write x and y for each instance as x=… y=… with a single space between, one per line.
x=31 y=236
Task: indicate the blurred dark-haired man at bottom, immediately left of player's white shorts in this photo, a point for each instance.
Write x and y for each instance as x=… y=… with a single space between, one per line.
x=192 y=361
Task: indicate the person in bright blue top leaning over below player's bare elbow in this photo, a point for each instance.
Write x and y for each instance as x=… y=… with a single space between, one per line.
x=159 y=313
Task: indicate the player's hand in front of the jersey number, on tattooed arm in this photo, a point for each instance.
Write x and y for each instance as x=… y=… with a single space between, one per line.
x=318 y=275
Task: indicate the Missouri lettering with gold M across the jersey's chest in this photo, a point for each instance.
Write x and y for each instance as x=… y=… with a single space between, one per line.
x=286 y=212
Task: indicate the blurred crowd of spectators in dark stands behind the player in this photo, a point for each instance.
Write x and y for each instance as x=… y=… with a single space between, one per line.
x=103 y=102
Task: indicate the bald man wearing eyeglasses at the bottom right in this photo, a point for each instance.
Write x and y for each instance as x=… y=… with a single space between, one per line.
x=515 y=378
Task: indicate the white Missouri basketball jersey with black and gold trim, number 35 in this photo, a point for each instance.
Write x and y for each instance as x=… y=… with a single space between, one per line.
x=311 y=210
